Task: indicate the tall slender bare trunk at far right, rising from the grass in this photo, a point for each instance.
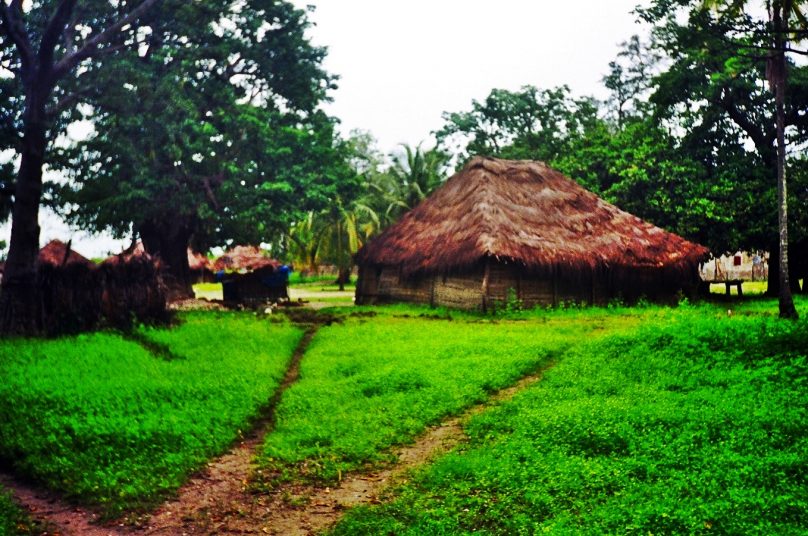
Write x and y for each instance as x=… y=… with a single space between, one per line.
x=778 y=78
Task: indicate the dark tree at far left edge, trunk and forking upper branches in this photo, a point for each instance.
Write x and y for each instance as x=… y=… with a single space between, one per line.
x=43 y=43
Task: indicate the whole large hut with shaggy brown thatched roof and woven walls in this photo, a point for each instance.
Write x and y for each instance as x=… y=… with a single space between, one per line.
x=501 y=224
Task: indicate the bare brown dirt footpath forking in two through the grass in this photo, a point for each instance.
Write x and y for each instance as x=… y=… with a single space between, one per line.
x=219 y=500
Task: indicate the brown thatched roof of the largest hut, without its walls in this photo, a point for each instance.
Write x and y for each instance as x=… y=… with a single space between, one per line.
x=524 y=212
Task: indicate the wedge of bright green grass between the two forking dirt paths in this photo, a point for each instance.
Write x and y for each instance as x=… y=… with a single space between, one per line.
x=376 y=382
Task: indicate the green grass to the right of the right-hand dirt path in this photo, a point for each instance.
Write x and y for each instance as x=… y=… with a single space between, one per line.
x=694 y=424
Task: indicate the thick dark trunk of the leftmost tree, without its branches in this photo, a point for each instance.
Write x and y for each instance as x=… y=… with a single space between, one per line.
x=19 y=296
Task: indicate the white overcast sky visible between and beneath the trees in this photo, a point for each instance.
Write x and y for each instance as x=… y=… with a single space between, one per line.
x=402 y=64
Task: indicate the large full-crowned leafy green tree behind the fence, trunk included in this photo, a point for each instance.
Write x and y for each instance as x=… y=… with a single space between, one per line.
x=211 y=134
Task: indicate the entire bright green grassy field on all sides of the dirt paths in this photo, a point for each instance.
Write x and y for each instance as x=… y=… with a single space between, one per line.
x=653 y=419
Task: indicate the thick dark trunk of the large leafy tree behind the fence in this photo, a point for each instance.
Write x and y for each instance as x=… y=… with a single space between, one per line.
x=169 y=241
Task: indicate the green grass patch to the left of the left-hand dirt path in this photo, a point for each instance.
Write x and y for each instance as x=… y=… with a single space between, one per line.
x=108 y=423
